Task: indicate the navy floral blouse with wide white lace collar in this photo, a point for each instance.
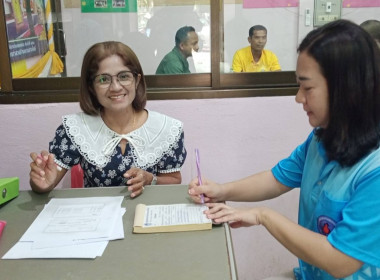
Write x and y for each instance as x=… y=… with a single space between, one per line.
x=157 y=147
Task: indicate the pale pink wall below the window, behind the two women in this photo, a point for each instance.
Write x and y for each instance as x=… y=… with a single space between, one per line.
x=236 y=137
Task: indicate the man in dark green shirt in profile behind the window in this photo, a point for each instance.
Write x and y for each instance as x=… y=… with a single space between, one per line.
x=175 y=62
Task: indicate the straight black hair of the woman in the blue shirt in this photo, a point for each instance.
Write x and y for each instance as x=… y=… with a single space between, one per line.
x=349 y=59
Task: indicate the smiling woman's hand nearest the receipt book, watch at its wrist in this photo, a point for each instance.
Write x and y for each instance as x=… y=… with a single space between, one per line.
x=137 y=179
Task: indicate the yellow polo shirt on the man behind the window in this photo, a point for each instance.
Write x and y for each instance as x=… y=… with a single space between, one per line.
x=243 y=61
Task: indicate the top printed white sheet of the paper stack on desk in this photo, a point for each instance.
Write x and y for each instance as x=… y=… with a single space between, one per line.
x=63 y=221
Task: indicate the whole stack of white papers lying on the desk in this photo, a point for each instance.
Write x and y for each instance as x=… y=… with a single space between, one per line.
x=72 y=228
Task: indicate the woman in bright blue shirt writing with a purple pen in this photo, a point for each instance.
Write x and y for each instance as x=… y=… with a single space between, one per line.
x=337 y=168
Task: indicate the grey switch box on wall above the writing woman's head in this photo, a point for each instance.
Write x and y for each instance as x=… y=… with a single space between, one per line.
x=326 y=11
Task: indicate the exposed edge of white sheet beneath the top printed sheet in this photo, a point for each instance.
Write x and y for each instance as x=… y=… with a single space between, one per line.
x=25 y=250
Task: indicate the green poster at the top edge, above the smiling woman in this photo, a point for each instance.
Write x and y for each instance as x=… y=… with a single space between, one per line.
x=109 y=6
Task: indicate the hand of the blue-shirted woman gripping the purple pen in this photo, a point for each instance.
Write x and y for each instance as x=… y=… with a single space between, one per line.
x=211 y=191
